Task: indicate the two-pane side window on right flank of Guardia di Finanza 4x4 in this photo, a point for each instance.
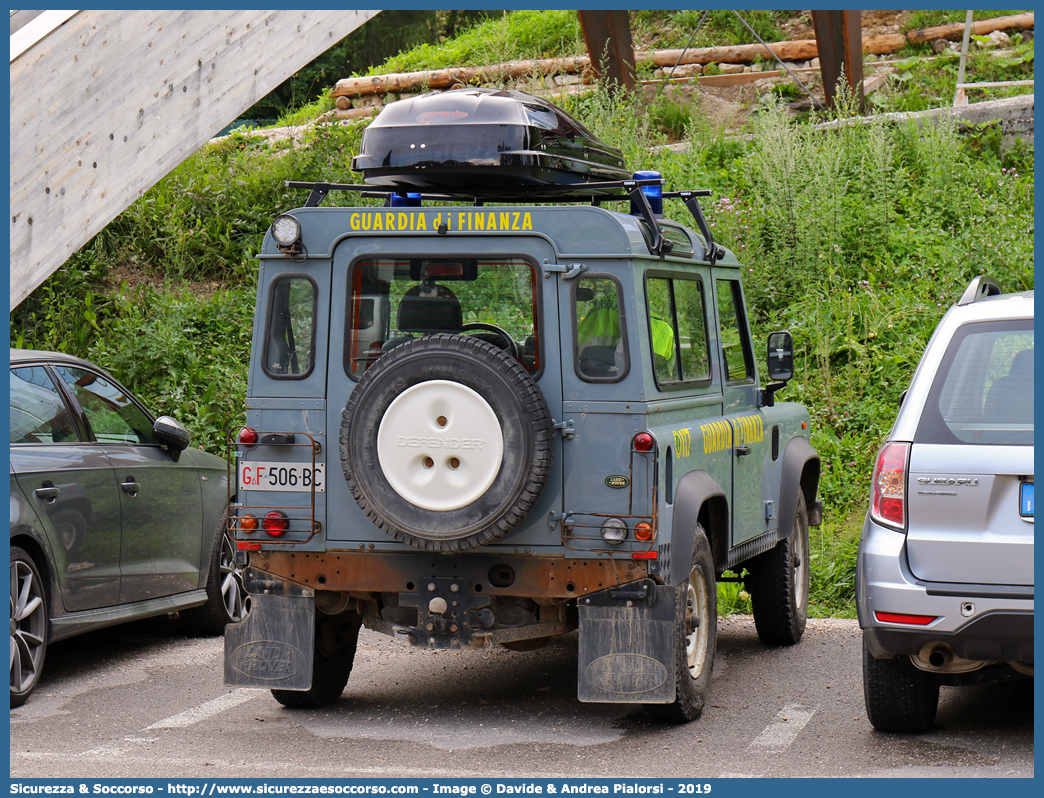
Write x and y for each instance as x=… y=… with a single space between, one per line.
x=678 y=331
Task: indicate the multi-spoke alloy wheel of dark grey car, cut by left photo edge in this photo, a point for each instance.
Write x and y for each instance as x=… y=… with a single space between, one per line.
x=29 y=626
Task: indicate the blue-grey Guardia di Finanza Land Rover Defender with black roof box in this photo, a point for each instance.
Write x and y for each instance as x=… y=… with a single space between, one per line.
x=491 y=412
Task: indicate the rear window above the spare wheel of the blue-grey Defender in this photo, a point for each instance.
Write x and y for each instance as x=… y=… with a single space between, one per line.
x=394 y=300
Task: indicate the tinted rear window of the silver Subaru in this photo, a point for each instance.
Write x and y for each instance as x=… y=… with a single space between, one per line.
x=984 y=391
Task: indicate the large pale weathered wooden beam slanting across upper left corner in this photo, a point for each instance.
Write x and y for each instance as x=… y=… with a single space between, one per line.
x=106 y=103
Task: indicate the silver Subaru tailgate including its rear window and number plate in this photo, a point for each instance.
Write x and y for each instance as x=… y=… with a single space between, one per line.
x=971 y=473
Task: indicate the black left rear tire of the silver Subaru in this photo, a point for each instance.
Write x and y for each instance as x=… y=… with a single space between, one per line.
x=899 y=696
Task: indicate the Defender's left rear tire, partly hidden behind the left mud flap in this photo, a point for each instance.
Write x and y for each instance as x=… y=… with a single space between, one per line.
x=337 y=640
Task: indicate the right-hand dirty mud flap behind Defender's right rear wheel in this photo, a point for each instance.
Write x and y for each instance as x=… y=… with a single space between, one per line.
x=627 y=645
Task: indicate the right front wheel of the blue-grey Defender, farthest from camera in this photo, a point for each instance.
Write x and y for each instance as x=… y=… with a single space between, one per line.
x=778 y=583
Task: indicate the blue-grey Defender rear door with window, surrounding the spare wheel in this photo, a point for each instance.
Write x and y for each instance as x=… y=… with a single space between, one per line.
x=497 y=281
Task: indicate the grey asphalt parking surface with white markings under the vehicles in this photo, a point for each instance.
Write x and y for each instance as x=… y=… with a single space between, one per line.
x=144 y=700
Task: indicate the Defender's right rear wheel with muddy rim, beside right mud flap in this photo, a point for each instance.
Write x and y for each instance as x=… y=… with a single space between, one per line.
x=696 y=636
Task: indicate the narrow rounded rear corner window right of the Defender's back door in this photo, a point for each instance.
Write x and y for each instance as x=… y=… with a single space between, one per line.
x=602 y=348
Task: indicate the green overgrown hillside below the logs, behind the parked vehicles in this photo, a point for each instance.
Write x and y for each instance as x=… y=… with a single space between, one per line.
x=856 y=240
